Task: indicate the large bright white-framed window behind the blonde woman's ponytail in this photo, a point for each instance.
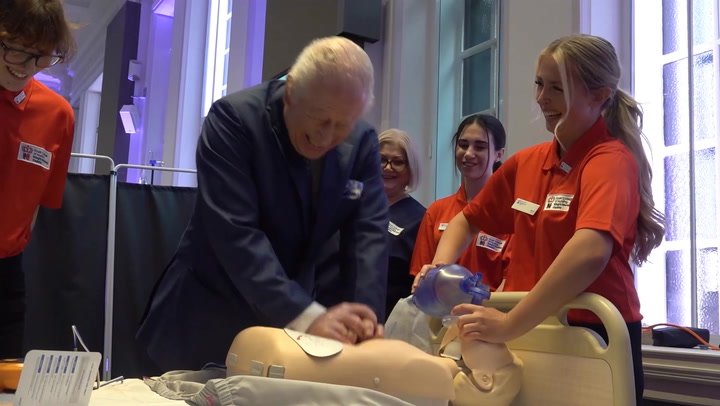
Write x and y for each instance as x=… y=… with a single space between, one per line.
x=680 y=97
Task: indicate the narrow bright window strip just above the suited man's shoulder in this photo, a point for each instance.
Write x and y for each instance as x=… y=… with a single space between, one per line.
x=218 y=51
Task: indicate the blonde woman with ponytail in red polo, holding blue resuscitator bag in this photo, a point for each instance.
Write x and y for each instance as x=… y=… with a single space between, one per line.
x=580 y=208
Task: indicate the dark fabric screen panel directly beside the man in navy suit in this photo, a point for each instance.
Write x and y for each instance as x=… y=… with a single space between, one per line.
x=150 y=223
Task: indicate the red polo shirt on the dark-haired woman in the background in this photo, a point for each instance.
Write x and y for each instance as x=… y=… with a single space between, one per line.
x=486 y=253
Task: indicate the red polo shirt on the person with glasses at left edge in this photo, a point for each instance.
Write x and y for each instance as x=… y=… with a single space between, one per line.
x=36 y=133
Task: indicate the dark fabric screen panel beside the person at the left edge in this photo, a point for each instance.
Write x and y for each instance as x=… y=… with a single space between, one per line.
x=65 y=267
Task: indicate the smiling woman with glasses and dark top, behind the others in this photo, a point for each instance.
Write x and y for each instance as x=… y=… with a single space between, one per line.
x=401 y=175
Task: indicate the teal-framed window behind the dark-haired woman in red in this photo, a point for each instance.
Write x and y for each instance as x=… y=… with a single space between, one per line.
x=468 y=76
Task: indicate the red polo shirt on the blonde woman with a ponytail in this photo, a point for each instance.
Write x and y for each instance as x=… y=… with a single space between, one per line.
x=594 y=186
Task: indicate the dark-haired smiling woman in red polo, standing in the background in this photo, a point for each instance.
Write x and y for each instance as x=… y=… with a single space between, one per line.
x=479 y=147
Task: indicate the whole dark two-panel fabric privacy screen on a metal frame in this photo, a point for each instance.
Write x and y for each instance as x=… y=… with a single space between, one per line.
x=65 y=265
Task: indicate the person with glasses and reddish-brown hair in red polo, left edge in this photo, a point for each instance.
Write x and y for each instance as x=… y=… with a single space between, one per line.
x=36 y=132
